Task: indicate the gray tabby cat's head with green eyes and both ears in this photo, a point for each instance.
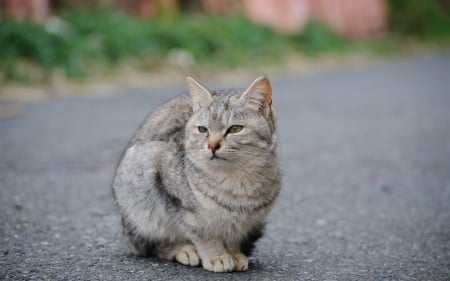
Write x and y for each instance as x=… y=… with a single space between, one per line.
x=230 y=127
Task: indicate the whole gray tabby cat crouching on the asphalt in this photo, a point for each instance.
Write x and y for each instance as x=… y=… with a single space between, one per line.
x=199 y=177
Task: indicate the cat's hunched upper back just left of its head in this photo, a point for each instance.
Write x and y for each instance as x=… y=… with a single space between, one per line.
x=166 y=123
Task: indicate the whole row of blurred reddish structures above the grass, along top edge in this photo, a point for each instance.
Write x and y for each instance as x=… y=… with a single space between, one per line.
x=353 y=18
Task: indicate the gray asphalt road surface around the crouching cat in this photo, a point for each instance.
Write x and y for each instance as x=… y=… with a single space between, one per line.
x=366 y=195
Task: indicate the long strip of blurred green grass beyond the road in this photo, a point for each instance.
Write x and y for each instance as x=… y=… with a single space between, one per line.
x=79 y=42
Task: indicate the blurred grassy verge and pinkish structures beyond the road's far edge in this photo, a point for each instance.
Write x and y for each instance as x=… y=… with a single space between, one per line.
x=46 y=42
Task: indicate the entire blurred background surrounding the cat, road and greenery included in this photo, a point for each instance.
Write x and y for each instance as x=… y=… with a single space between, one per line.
x=365 y=147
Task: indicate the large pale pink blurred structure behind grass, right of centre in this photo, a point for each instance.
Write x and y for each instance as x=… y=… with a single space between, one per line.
x=353 y=18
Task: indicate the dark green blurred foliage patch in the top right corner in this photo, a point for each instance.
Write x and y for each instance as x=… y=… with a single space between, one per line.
x=425 y=19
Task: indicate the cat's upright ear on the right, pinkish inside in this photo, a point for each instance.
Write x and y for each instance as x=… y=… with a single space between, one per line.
x=260 y=91
